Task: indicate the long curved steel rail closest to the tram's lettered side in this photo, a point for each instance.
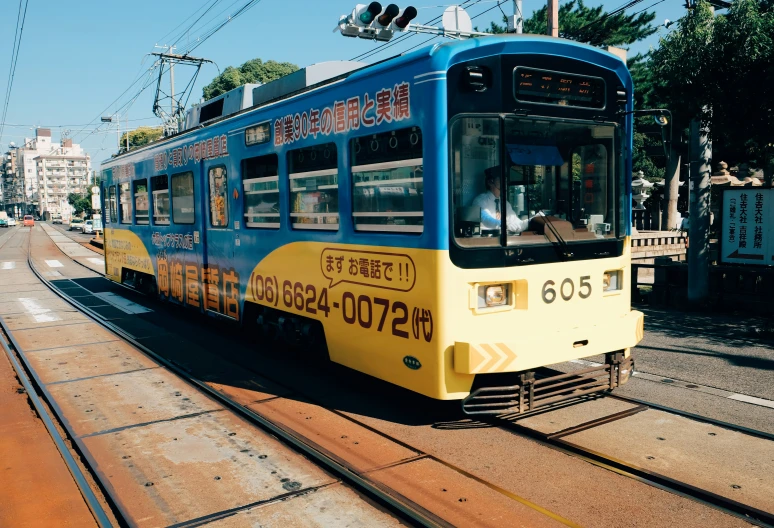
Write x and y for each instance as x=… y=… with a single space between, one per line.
x=389 y=498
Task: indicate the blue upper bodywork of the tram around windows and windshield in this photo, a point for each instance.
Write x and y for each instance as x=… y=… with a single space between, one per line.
x=424 y=71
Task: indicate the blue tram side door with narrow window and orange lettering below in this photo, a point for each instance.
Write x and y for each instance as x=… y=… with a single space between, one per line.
x=219 y=281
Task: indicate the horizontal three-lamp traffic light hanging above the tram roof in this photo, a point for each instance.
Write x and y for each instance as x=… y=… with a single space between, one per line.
x=371 y=22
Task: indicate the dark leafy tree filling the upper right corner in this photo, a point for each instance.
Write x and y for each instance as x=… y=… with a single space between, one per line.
x=718 y=69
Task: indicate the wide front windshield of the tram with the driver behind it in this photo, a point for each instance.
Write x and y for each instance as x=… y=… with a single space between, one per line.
x=551 y=180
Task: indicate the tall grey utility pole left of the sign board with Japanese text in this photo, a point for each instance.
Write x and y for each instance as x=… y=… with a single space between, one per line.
x=699 y=221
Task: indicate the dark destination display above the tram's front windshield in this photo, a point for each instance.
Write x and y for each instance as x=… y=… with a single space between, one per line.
x=532 y=85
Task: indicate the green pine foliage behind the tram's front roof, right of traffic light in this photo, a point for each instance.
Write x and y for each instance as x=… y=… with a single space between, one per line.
x=592 y=25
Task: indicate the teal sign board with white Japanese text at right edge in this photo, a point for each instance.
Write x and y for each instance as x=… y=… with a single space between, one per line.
x=748 y=226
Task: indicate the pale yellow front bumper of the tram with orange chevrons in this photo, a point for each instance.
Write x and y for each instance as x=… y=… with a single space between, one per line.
x=564 y=345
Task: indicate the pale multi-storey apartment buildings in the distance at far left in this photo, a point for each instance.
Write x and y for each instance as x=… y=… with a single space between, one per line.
x=45 y=174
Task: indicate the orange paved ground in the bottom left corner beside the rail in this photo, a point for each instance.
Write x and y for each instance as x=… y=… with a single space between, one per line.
x=36 y=488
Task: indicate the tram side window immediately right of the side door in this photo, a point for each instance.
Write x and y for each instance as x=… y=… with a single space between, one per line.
x=261 y=191
